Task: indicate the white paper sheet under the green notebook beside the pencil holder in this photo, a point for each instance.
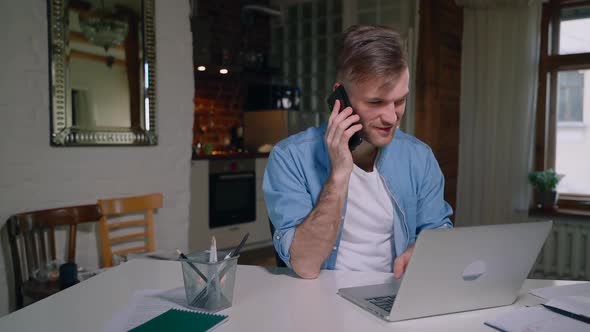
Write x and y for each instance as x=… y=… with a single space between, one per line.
x=145 y=305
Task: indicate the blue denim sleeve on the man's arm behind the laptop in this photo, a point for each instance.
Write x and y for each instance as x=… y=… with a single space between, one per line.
x=432 y=210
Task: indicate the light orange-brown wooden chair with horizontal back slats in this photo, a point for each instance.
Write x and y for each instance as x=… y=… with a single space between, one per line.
x=120 y=207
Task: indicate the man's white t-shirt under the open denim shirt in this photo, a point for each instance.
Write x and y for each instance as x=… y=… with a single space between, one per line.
x=367 y=236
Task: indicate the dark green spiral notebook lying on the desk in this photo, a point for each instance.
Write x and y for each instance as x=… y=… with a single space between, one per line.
x=181 y=320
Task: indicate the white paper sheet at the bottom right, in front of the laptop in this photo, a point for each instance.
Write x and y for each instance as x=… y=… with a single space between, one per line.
x=536 y=319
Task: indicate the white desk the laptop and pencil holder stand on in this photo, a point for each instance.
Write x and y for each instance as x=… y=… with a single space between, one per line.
x=265 y=299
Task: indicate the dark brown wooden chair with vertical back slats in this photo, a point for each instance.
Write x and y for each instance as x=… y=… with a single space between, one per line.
x=31 y=238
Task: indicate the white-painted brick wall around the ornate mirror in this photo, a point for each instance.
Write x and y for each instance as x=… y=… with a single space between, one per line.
x=34 y=175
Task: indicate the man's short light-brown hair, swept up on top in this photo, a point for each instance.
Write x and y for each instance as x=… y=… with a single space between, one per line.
x=371 y=51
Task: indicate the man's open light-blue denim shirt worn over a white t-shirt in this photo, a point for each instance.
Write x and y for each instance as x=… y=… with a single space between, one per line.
x=299 y=165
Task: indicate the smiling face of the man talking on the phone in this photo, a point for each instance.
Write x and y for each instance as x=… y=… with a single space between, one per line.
x=380 y=105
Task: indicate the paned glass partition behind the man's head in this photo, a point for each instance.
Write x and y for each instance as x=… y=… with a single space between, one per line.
x=305 y=44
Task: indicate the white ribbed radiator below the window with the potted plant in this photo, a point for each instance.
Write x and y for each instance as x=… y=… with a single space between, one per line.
x=566 y=253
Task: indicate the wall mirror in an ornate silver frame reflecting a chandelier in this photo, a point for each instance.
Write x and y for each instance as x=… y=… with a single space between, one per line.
x=102 y=57
